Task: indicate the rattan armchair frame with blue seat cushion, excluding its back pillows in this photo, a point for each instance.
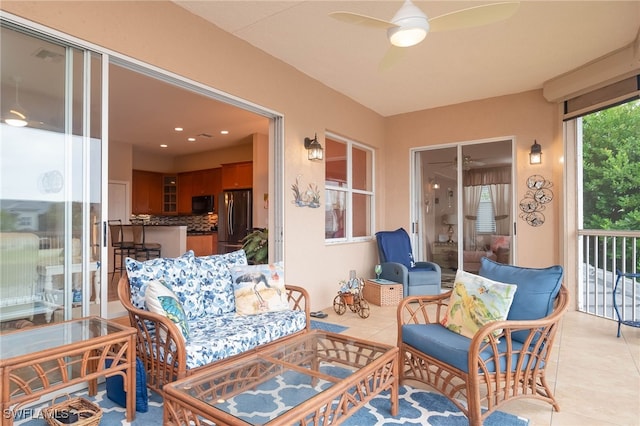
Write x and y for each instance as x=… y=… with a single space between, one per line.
x=521 y=351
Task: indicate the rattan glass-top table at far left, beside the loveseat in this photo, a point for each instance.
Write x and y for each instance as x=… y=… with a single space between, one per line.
x=41 y=360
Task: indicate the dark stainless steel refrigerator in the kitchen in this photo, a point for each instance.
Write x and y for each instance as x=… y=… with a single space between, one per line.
x=235 y=212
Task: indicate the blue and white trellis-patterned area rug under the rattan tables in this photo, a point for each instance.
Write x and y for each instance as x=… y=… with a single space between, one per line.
x=416 y=407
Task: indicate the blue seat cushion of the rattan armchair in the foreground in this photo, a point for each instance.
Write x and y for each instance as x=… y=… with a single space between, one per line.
x=452 y=348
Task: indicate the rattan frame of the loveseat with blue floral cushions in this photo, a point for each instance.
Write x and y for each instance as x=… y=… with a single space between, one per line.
x=165 y=359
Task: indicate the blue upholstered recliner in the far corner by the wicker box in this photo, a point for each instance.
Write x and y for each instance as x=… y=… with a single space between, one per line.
x=398 y=264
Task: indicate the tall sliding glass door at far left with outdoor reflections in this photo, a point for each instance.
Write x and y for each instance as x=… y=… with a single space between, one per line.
x=50 y=180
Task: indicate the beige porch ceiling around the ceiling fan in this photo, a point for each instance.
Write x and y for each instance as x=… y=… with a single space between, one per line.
x=542 y=40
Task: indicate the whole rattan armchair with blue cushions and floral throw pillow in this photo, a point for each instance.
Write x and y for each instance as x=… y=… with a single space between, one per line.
x=504 y=360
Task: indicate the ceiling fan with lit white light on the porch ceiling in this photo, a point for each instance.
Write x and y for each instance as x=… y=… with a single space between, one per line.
x=409 y=26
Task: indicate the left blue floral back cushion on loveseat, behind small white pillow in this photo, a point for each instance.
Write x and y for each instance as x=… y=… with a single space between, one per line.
x=177 y=272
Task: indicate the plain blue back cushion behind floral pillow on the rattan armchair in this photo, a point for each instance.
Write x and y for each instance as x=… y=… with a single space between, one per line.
x=537 y=288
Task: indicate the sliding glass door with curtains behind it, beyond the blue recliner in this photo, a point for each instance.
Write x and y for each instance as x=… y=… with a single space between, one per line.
x=466 y=212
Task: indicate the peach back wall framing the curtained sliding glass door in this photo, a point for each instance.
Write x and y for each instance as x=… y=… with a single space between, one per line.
x=525 y=117
